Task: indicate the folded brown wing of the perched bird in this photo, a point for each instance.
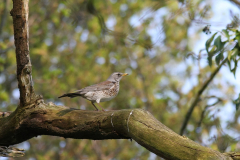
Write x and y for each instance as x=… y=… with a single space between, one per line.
x=106 y=85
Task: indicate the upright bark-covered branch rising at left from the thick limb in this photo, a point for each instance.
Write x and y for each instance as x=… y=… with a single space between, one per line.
x=21 y=37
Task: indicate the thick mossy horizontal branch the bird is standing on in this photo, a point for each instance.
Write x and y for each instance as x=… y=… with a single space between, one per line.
x=139 y=125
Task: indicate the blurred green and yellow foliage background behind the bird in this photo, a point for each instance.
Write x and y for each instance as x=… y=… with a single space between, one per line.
x=75 y=44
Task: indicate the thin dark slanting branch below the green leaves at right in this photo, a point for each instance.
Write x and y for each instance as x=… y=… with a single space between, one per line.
x=199 y=93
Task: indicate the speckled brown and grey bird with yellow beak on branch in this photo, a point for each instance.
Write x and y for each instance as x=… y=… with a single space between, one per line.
x=101 y=92
